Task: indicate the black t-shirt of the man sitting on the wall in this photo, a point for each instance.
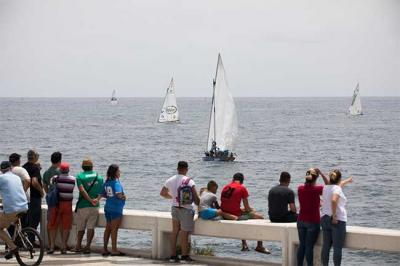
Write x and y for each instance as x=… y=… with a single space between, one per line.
x=279 y=197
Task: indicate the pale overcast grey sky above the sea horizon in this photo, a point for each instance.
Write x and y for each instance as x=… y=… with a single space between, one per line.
x=280 y=48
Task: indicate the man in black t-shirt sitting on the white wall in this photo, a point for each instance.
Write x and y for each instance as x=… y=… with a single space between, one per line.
x=280 y=198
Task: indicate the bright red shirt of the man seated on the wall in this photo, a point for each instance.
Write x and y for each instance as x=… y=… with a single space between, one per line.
x=231 y=198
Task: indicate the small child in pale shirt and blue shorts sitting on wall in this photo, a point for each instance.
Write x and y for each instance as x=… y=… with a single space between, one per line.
x=209 y=207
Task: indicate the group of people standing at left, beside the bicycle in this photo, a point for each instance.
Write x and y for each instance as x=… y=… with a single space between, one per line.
x=23 y=188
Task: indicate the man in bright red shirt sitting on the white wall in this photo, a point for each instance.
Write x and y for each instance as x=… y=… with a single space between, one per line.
x=231 y=197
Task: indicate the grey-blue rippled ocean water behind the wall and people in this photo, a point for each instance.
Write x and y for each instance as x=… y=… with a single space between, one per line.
x=275 y=134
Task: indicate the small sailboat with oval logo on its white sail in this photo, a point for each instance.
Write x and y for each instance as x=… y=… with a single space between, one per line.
x=169 y=110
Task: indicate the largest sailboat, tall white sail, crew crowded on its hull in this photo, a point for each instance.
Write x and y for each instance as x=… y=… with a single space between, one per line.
x=223 y=127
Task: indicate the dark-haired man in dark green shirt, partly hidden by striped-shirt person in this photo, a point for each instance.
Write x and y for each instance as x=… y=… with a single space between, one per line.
x=52 y=217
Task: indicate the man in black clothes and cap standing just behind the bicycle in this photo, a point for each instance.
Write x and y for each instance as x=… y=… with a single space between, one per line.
x=36 y=190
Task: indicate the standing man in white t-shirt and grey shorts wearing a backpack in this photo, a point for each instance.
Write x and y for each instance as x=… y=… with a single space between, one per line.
x=181 y=190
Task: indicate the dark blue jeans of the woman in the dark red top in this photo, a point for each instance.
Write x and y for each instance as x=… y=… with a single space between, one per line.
x=308 y=235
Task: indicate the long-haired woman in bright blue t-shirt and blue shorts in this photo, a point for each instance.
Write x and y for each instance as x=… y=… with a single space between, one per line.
x=114 y=193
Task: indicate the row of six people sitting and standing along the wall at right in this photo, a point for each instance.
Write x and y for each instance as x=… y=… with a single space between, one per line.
x=181 y=190
